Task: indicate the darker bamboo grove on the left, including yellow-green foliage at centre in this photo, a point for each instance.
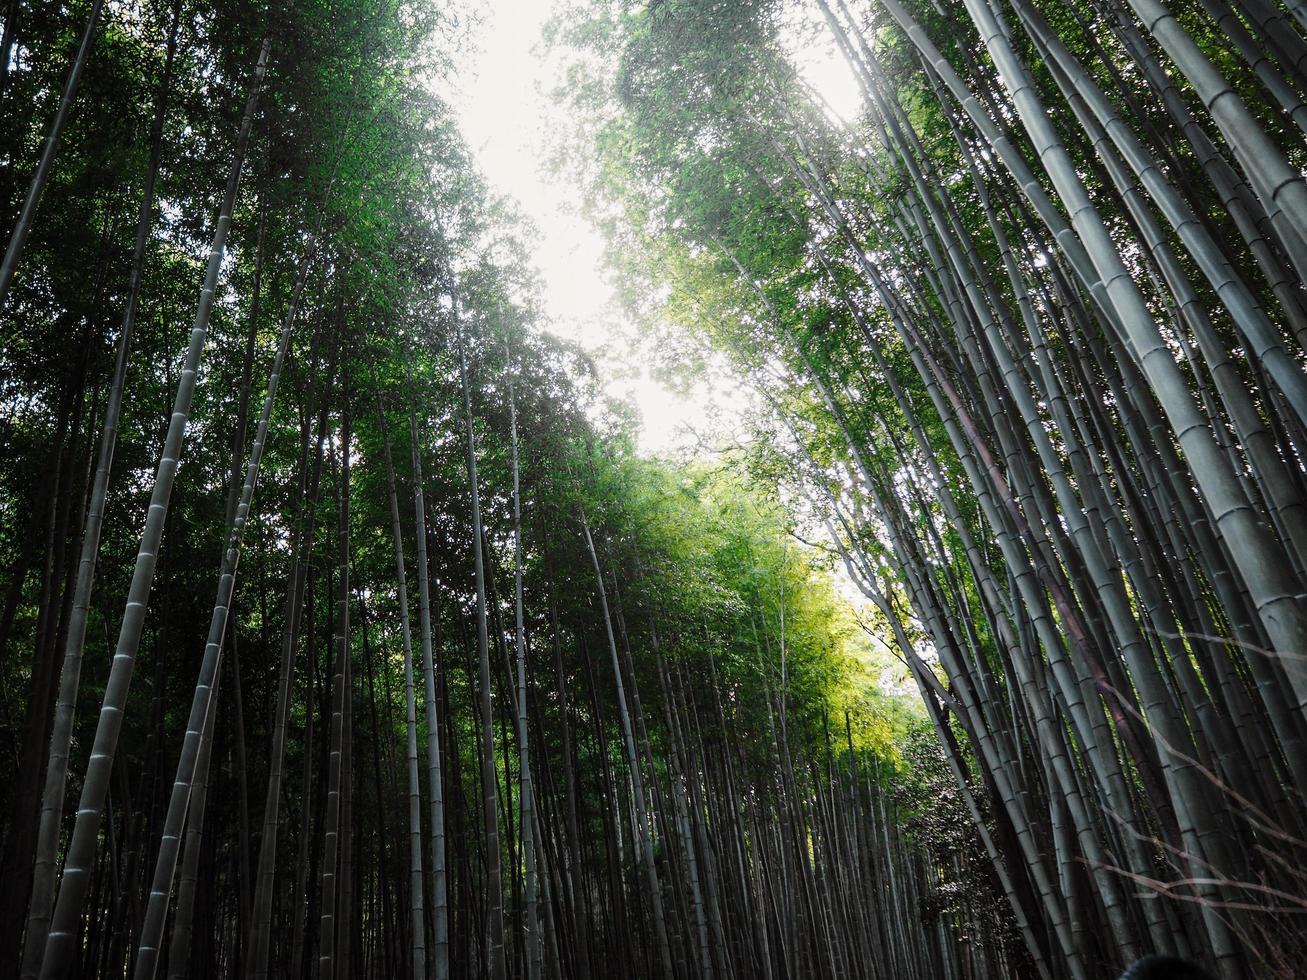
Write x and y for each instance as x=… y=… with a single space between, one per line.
x=344 y=633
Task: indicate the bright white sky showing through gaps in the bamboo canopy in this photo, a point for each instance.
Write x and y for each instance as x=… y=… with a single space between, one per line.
x=505 y=114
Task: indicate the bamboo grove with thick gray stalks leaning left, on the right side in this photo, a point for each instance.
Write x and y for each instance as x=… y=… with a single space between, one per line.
x=1028 y=334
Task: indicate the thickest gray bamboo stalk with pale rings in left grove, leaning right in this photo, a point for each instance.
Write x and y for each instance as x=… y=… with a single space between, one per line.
x=63 y=941
